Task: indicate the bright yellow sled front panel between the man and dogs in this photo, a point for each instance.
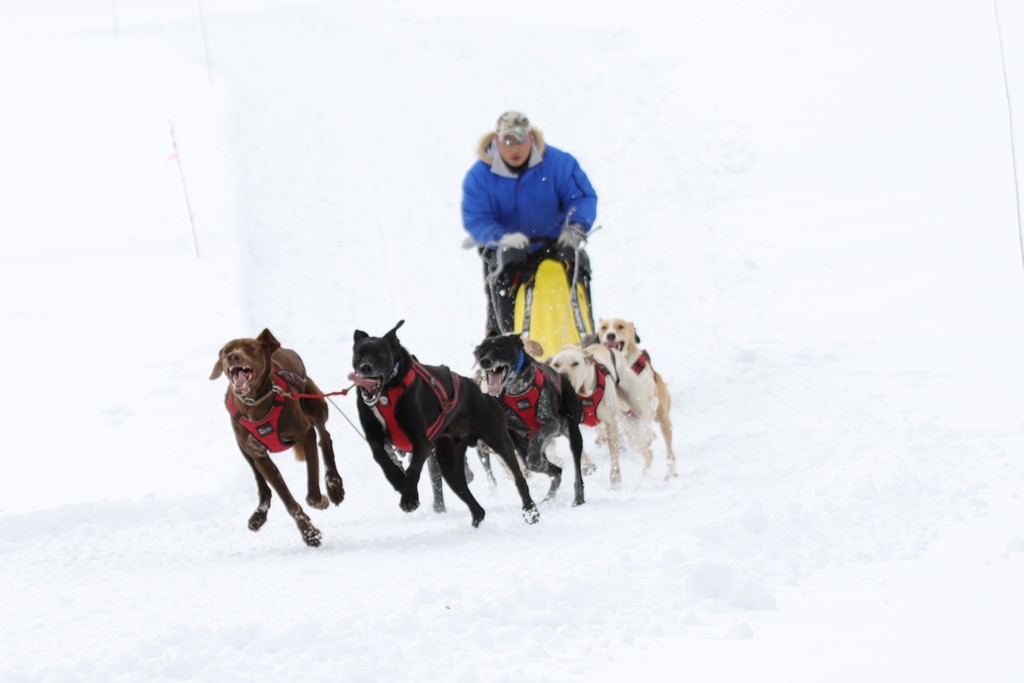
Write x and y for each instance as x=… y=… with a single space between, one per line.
x=544 y=311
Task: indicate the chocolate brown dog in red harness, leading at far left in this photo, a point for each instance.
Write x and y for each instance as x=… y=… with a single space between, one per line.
x=264 y=379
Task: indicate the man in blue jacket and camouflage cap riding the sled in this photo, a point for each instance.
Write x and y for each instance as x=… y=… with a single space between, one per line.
x=524 y=199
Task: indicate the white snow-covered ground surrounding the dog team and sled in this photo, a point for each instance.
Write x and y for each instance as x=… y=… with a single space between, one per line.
x=808 y=209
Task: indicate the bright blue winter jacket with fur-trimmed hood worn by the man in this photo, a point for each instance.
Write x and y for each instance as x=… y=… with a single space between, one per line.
x=496 y=202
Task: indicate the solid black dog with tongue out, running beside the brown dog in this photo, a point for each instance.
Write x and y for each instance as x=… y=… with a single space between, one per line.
x=414 y=408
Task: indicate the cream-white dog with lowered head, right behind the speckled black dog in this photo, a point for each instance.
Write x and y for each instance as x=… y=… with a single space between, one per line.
x=591 y=372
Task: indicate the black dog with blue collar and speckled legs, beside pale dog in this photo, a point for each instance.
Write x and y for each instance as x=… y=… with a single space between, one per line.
x=539 y=403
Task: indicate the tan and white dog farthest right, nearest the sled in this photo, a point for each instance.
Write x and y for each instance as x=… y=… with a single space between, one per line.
x=648 y=397
